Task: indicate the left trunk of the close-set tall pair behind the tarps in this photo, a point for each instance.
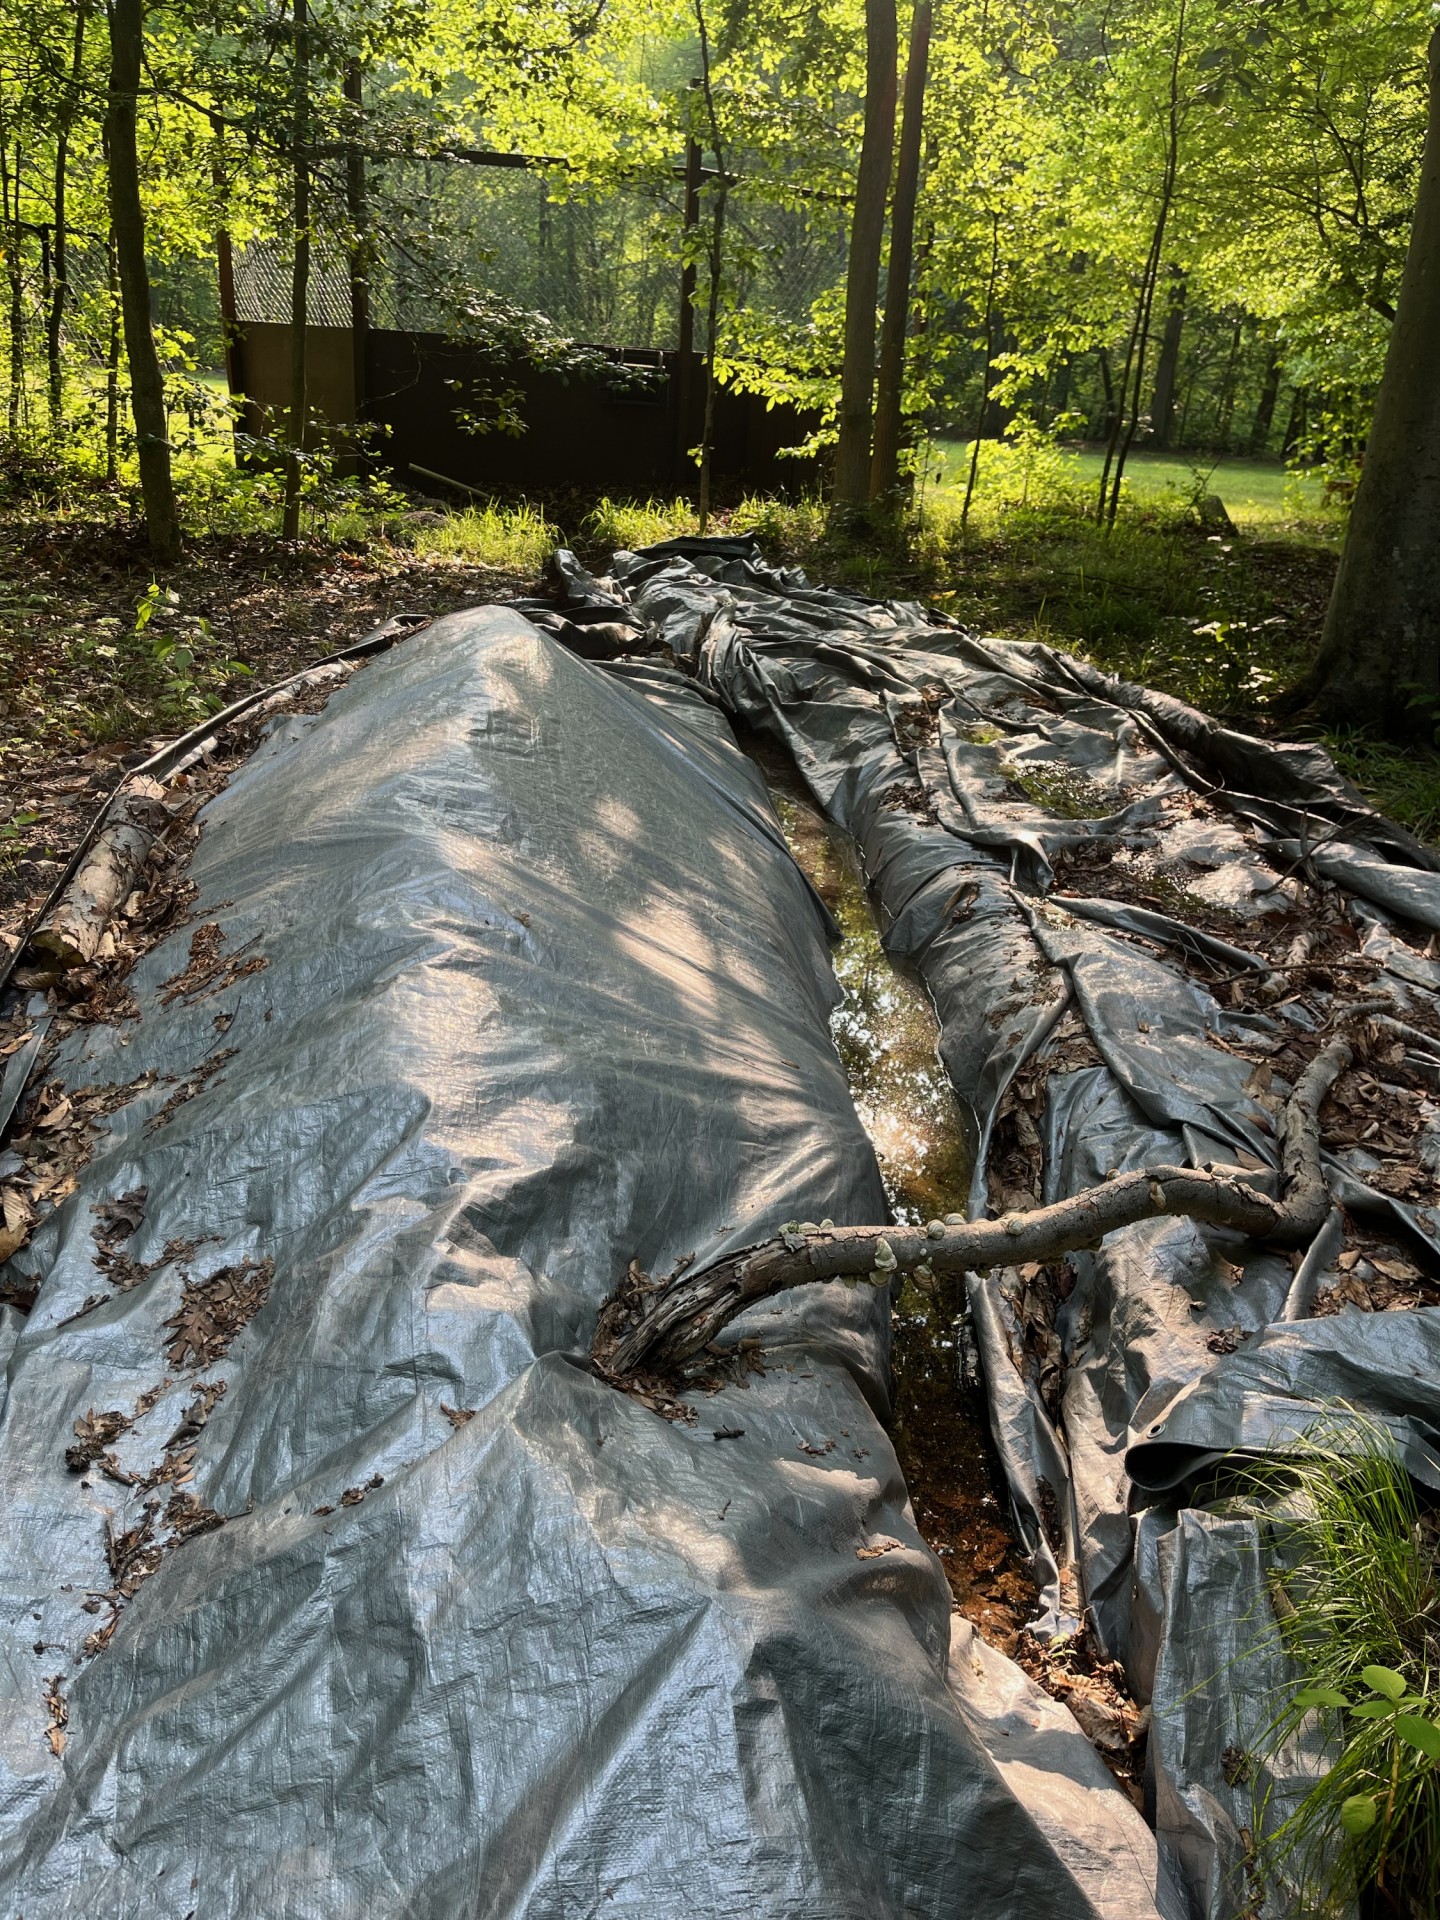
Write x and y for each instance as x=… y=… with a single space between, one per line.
x=863 y=272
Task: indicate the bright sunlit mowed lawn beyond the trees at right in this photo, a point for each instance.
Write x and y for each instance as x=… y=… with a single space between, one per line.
x=1255 y=492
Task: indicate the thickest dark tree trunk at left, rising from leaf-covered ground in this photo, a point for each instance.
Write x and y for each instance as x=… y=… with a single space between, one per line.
x=130 y=229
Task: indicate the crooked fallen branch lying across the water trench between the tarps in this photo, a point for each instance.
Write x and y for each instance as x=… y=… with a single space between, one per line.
x=656 y=1328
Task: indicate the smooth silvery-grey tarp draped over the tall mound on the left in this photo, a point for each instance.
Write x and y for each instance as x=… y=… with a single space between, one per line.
x=542 y=994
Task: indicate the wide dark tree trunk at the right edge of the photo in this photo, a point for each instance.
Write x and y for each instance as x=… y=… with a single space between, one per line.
x=1380 y=661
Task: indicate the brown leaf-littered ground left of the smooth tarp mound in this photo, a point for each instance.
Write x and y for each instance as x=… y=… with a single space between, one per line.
x=84 y=696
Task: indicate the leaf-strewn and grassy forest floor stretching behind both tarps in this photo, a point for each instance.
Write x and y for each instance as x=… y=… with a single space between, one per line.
x=103 y=658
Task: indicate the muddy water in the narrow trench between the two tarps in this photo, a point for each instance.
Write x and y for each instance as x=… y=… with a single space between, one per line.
x=886 y=1034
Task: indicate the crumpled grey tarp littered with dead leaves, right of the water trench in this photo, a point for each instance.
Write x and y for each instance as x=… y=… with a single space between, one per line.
x=965 y=769
